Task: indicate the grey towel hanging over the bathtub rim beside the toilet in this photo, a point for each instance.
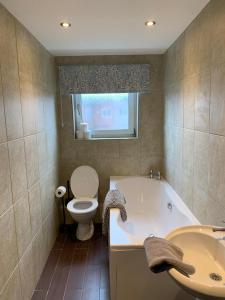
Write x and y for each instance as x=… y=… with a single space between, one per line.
x=113 y=199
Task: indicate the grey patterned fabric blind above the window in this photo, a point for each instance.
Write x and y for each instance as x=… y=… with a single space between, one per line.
x=74 y=79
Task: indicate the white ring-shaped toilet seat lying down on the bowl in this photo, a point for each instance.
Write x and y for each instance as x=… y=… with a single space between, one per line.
x=71 y=206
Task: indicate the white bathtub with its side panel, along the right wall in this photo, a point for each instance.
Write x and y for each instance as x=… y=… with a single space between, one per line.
x=152 y=207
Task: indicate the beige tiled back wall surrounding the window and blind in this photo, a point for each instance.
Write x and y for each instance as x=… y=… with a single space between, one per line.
x=117 y=157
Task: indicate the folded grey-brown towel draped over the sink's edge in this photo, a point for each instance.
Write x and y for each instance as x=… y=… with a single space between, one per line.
x=163 y=255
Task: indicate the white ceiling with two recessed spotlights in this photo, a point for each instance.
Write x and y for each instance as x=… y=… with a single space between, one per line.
x=105 y=26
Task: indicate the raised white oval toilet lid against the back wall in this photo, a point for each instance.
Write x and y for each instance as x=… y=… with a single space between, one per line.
x=84 y=182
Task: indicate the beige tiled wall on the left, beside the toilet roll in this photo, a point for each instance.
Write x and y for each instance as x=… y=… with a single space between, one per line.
x=28 y=158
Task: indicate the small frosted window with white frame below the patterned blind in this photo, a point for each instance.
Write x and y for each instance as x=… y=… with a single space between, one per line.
x=112 y=115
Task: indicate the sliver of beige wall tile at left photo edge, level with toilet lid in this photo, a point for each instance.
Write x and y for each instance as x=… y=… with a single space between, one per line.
x=5 y=184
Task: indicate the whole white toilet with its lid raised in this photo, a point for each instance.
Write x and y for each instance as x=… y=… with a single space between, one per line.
x=84 y=184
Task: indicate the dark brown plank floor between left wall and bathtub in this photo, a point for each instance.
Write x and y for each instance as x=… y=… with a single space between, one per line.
x=75 y=270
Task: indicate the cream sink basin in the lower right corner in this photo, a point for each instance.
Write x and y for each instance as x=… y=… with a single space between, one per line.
x=205 y=250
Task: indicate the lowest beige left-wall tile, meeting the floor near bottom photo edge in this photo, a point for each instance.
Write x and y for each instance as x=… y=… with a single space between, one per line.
x=26 y=267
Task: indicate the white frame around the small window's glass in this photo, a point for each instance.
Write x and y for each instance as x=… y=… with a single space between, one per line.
x=130 y=133
